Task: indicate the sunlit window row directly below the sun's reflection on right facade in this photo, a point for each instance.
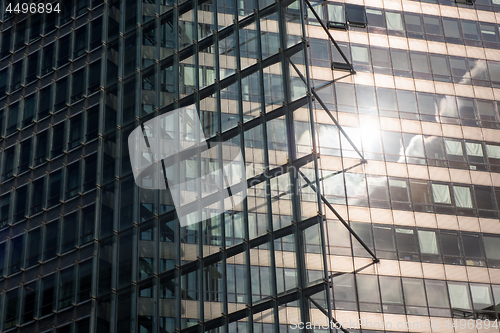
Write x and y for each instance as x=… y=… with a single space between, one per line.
x=416 y=195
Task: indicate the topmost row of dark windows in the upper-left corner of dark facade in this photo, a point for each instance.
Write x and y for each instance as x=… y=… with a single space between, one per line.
x=41 y=24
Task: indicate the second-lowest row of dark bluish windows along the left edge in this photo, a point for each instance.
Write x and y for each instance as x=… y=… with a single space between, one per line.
x=47 y=241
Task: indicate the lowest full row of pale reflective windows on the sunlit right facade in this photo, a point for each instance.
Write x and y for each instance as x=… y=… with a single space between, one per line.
x=413 y=296
